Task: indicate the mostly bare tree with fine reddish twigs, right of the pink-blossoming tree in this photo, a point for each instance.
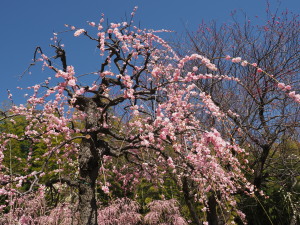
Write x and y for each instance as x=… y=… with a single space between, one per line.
x=264 y=115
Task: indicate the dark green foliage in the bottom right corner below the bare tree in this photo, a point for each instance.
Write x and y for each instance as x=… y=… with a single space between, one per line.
x=281 y=188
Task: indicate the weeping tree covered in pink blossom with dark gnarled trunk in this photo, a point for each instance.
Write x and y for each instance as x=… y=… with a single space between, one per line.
x=142 y=104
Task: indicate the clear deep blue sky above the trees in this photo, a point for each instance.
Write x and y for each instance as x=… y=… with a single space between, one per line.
x=26 y=24
